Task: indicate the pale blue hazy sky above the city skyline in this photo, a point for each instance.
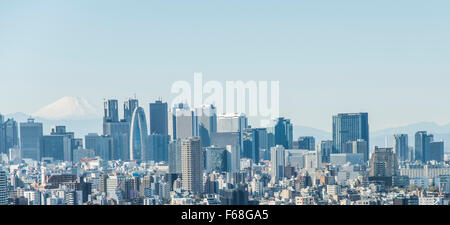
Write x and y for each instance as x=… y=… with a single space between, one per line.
x=388 y=58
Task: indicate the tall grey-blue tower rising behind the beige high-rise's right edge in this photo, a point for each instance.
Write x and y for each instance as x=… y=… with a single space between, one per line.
x=207 y=122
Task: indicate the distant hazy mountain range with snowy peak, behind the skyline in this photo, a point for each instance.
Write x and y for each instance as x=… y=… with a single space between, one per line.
x=82 y=118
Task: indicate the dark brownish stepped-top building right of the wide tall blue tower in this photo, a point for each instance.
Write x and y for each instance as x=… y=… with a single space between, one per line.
x=383 y=163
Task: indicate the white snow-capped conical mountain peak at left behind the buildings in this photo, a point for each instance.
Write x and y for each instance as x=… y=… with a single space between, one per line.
x=72 y=108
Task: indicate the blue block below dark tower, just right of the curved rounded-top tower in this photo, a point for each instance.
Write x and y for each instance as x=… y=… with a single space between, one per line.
x=158 y=147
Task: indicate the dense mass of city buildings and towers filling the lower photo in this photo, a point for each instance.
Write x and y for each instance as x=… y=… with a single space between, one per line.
x=187 y=156
